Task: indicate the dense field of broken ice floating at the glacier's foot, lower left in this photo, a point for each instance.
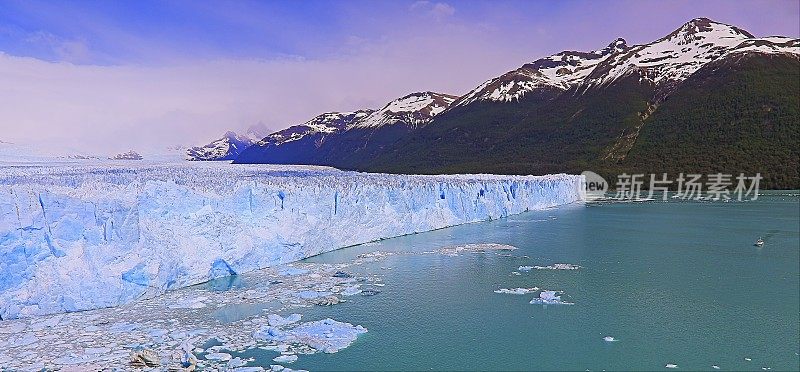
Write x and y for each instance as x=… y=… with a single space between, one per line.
x=153 y=331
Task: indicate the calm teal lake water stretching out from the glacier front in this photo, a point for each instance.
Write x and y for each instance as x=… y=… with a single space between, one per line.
x=675 y=282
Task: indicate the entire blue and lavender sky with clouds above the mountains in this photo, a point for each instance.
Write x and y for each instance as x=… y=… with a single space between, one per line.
x=100 y=77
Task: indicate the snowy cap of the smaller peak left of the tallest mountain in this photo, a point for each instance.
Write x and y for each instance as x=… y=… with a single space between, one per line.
x=413 y=110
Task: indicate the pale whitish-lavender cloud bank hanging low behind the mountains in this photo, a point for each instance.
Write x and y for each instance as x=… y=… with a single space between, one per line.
x=108 y=109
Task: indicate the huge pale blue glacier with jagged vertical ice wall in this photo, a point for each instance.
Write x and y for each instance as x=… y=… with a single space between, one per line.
x=78 y=236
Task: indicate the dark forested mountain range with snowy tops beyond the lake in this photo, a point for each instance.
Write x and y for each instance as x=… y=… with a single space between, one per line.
x=706 y=98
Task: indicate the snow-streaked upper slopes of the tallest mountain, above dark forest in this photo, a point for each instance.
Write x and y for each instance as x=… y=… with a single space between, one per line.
x=665 y=61
